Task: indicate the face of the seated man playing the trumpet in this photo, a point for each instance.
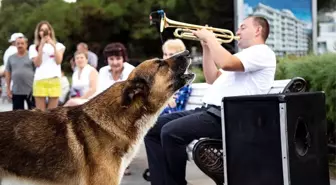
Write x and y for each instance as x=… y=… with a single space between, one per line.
x=247 y=33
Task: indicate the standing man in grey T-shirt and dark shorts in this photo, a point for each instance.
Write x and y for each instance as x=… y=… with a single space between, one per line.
x=20 y=70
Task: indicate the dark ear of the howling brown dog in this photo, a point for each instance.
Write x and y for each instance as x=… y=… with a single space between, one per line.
x=134 y=90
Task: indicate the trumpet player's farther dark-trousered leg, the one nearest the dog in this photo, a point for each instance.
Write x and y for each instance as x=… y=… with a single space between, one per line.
x=154 y=149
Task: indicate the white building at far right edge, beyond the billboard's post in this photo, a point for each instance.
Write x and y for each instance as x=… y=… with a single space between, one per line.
x=326 y=40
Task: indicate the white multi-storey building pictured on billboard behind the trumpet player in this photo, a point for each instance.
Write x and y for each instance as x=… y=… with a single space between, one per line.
x=288 y=34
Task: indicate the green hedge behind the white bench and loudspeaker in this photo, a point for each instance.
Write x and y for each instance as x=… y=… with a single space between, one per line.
x=319 y=73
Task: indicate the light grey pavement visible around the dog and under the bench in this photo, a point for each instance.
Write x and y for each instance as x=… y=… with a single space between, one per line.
x=194 y=175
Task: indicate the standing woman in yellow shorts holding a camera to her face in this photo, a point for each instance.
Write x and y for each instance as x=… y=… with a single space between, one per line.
x=47 y=55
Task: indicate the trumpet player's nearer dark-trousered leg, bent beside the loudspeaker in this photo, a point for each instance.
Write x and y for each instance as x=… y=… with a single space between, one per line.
x=177 y=134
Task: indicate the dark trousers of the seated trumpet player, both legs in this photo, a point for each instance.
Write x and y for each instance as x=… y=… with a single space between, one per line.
x=166 y=143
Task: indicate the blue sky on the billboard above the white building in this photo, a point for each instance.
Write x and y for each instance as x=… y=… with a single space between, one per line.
x=300 y=8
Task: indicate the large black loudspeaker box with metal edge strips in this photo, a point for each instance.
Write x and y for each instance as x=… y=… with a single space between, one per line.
x=275 y=139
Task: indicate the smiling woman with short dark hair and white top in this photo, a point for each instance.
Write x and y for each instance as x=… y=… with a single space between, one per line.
x=117 y=69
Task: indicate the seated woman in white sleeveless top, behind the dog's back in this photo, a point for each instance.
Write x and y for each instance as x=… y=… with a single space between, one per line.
x=84 y=80
